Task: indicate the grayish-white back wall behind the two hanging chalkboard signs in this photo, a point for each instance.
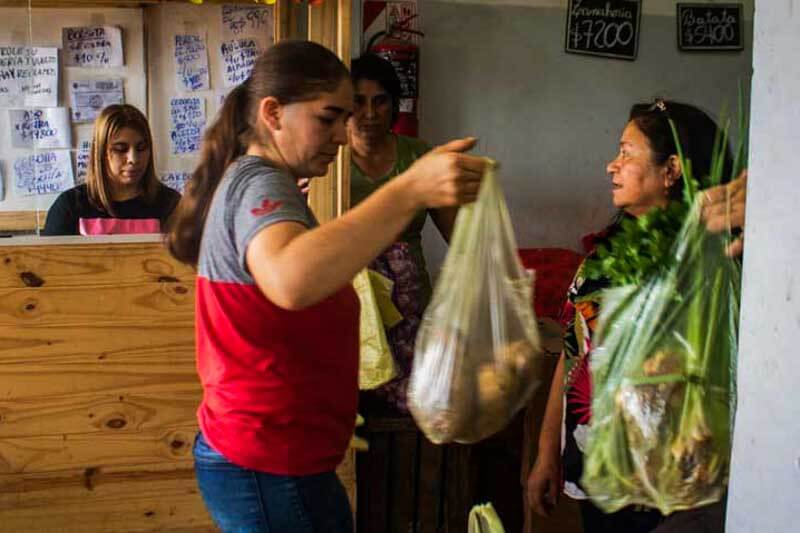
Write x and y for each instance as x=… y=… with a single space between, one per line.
x=498 y=70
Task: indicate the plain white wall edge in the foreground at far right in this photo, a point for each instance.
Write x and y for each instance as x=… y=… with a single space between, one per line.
x=765 y=482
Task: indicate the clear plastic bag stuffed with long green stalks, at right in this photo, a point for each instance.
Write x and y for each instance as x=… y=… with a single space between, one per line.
x=663 y=375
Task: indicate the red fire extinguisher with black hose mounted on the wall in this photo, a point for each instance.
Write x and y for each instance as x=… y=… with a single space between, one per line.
x=404 y=57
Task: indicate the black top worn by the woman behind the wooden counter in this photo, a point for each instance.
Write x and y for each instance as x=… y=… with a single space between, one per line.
x=64 y=216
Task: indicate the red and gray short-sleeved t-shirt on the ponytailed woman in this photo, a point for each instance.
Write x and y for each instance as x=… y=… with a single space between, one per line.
x=280 y=388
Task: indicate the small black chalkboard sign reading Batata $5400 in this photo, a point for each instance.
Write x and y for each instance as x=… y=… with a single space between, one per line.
x=710 y=27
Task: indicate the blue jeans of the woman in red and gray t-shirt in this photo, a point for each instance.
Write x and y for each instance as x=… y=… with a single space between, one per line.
x=245 y=501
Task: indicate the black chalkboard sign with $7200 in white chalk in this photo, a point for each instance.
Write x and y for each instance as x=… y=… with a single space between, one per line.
x=608 y=28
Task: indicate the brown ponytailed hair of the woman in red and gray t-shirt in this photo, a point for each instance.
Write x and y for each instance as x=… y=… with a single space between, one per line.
x=291 y=71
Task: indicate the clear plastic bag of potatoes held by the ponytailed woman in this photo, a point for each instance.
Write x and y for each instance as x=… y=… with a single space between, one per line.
x=477 y=355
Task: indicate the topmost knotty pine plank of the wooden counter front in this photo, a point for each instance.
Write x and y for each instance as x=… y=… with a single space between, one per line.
x=79 y=265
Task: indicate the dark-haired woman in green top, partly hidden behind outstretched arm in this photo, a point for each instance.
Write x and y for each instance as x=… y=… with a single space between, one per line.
x=378 y=155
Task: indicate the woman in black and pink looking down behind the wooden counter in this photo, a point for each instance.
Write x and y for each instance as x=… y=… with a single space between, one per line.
x=122 y=193
